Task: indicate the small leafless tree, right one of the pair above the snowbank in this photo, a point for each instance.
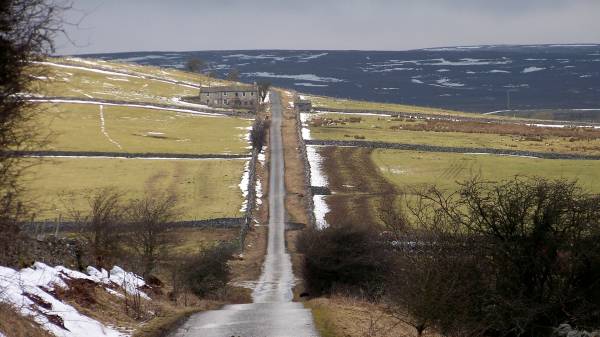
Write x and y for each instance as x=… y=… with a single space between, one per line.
x=149 y=219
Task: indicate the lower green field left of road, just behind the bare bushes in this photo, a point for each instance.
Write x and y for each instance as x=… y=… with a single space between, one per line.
x=205 y=188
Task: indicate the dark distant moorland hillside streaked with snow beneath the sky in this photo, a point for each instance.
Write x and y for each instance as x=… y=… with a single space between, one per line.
x=534 y=78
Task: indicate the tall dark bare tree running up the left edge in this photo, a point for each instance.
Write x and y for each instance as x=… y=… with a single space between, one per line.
x=27 y=30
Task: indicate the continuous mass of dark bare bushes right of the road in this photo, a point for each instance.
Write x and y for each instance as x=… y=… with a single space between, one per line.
x=512 y=258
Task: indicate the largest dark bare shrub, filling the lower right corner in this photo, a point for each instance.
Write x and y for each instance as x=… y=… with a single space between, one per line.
x=513 y=258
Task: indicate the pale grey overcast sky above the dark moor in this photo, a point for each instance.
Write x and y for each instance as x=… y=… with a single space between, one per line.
x=180 y=25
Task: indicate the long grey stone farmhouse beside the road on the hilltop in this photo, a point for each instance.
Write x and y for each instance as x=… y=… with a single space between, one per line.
x=234 y=96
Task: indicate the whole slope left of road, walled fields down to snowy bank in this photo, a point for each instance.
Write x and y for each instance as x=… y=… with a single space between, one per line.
x=119 y=127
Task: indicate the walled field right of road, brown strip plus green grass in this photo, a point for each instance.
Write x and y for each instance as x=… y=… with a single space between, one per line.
x=360 y=179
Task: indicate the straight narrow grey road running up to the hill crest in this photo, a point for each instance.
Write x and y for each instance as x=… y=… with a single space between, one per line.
x=273 y=314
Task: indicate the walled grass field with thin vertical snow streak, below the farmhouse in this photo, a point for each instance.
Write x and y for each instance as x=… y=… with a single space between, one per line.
x=77 y=127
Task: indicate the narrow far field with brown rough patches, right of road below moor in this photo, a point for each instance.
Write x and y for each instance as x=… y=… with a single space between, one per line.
x=387 y=129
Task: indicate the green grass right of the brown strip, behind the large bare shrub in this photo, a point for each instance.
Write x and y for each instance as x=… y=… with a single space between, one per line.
x=409 y=168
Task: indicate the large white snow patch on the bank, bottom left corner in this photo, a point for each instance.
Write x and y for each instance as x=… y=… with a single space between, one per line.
x=30 y=290
